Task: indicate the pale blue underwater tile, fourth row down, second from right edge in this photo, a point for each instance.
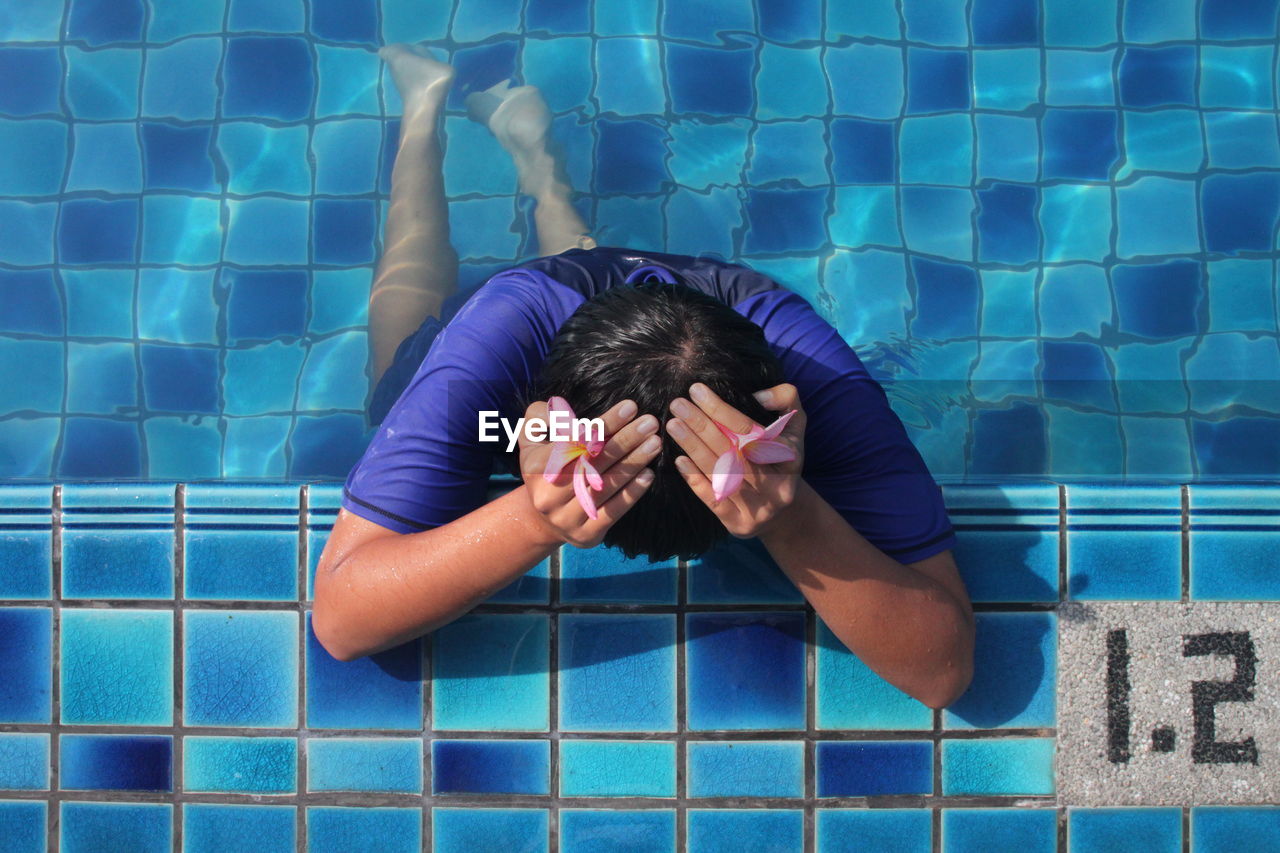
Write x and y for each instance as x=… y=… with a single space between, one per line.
x=1158 y=217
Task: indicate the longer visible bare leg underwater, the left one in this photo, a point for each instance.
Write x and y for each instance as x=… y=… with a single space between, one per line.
x=419 y=268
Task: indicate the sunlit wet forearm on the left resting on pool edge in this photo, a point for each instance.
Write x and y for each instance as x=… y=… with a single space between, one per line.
x=396 y=589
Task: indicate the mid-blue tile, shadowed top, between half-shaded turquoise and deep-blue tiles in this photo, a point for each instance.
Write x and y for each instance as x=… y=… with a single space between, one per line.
x=618 y=673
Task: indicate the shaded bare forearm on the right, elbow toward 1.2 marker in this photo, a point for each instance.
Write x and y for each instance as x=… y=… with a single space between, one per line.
x=902 y=623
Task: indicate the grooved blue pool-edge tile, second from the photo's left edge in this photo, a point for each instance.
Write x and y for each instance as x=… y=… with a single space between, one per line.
x=118 y=541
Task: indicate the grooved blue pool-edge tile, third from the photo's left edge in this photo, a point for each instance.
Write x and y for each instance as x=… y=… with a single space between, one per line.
x=241 y=542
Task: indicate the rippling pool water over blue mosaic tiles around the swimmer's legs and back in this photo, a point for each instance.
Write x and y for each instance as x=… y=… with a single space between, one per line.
x=1053 y=221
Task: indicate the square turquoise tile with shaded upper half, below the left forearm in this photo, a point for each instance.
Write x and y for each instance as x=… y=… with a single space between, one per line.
x=490 y=674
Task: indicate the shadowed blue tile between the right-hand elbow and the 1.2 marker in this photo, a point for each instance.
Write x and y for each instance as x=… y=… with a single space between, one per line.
x=1016 y=668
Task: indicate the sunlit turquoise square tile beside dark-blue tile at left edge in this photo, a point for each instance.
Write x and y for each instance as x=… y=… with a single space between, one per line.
x=117 y=668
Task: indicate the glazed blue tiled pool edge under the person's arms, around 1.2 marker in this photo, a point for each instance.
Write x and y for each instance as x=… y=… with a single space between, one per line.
x=161 y=688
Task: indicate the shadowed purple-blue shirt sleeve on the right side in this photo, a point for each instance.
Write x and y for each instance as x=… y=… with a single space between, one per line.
x=858 y=455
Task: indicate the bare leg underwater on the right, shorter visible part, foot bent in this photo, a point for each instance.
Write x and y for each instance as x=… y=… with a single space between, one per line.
x=520 y=120
